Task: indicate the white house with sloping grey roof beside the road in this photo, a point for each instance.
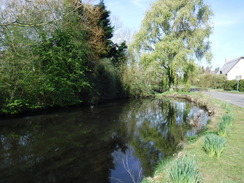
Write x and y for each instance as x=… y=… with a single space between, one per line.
x=233 y=69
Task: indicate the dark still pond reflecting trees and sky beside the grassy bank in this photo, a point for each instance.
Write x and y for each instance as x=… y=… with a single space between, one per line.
x=117 y=142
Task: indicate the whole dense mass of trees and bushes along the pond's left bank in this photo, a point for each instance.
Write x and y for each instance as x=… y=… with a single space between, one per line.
x=57 y=63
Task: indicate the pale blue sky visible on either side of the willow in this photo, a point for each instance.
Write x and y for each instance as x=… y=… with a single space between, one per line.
x=228 y=21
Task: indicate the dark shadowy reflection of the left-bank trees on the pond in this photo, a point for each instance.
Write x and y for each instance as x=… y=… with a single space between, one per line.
x=56 y=153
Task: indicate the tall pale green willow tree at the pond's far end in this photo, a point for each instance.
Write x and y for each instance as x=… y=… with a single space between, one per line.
x=174 y=34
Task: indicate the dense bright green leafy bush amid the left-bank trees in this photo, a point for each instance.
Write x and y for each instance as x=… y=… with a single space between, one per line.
x=64 y=64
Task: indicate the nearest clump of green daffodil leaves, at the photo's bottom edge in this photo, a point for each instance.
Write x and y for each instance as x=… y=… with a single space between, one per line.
x=185 y=171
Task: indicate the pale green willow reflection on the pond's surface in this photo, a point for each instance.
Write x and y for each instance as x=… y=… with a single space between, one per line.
x=155 y=129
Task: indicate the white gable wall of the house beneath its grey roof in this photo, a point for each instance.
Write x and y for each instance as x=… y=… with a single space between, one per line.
x=237 y=70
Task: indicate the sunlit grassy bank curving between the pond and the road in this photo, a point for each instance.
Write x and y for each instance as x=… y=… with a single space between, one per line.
x=225 y=169
